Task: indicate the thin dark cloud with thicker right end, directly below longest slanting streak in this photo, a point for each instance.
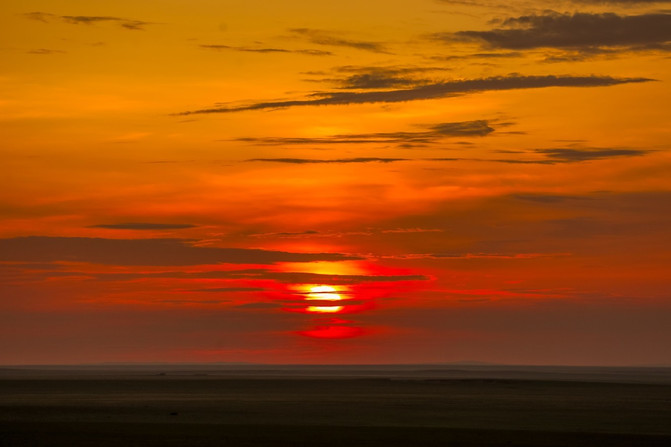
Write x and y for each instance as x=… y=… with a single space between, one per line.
x=435 y=133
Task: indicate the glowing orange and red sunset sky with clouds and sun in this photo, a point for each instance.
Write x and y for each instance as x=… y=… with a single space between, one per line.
x=397 y=181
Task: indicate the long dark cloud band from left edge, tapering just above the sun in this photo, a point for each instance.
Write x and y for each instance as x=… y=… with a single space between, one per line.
x=159 y=252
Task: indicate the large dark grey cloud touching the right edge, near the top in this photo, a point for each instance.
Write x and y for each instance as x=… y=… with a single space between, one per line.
x=581 y=31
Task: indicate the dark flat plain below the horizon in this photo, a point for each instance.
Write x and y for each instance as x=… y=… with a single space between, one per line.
x=476 y=406
